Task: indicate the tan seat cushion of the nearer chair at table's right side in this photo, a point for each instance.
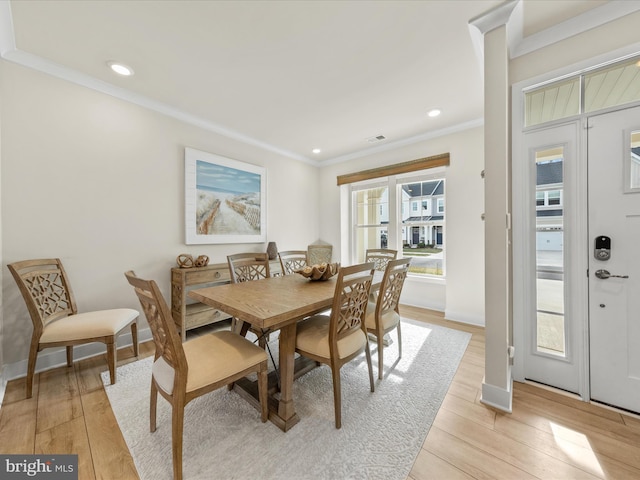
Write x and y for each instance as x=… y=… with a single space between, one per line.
x=312 y=336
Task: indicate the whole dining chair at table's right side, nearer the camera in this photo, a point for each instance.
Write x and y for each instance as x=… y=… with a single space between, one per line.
x=341 y=337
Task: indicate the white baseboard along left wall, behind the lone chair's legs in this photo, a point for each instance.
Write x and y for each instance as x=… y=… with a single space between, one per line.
x=52 y=358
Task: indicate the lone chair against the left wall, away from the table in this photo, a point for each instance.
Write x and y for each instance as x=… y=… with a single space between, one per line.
x=47 y=292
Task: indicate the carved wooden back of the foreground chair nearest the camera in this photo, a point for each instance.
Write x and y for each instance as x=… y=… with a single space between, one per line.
x=165 y=334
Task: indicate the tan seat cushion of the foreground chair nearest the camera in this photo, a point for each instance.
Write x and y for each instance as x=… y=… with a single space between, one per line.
x=211 y=358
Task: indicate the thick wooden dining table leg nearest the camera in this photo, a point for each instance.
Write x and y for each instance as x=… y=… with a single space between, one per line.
x=286 y=416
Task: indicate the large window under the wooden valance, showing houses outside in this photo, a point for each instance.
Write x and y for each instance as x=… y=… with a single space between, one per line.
x=396 y=214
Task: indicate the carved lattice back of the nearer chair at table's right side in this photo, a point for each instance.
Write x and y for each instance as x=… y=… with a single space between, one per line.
x=350 y=301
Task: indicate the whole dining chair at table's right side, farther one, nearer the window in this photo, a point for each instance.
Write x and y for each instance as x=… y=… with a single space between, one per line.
x=383 y=315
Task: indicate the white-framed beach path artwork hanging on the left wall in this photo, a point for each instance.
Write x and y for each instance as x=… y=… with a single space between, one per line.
x=225 y=200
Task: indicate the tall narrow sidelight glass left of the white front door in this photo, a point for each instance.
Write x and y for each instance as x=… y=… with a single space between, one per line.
x=549 y=228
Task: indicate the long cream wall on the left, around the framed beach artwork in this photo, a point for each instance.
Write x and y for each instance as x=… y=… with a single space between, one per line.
x=99 y=182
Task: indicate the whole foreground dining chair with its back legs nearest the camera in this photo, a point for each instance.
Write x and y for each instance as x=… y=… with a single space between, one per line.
x=184 y=371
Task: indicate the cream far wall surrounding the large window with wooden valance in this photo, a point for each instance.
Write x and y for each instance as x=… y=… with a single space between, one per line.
x=463 y=297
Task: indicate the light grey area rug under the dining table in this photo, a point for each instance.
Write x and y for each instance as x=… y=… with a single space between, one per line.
x=381 y=433
